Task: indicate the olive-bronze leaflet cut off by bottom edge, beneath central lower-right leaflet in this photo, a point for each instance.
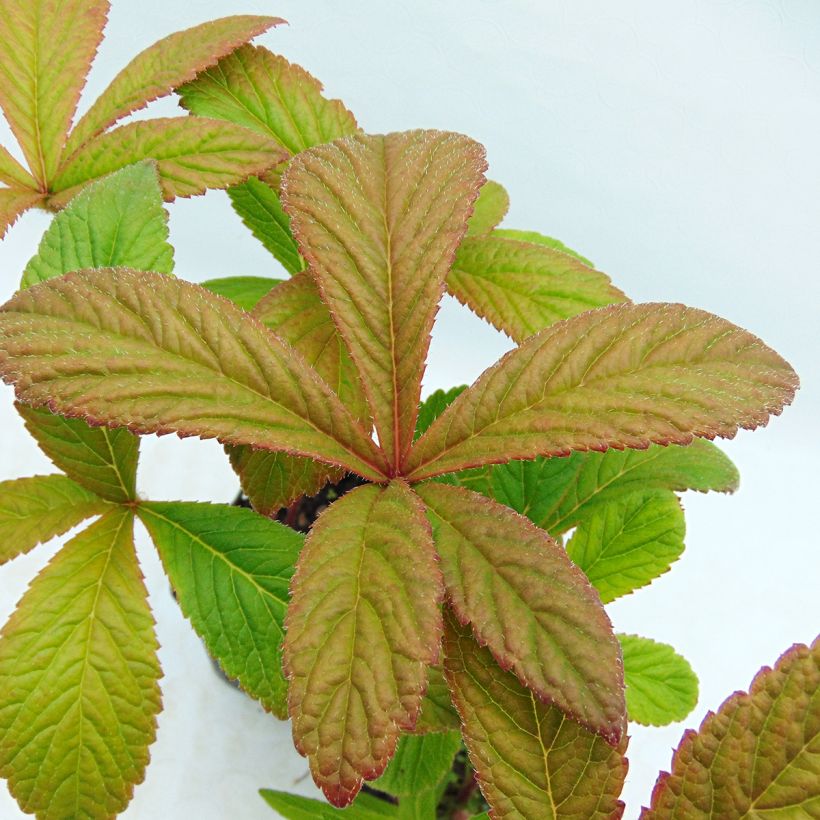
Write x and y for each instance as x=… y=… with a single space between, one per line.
x=532 y=761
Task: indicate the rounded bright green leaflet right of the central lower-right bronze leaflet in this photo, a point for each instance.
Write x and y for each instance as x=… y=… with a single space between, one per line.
x=628 y=543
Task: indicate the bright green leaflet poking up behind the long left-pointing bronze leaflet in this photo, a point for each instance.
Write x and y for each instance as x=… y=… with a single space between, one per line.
x=118 y=220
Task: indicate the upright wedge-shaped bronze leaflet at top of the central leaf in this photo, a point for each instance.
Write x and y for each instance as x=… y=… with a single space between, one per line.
x=378 y=219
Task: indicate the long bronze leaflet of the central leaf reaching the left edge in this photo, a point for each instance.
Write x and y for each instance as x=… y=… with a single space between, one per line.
x=151 y=353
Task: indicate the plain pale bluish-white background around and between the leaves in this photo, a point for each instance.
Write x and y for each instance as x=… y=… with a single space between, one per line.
x=676 y=145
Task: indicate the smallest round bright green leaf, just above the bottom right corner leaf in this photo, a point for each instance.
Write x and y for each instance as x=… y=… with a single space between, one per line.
x=661 y=687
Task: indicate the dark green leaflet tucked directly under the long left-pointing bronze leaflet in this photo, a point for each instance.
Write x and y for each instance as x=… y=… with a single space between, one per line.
x=103 y=461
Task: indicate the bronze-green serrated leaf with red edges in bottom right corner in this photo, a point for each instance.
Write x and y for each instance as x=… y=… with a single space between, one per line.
x=758 y=756
